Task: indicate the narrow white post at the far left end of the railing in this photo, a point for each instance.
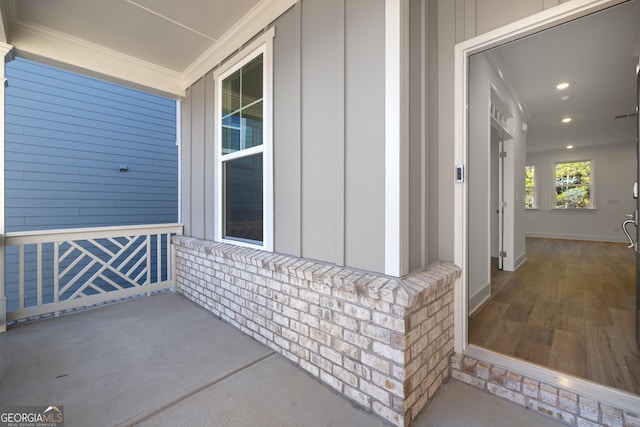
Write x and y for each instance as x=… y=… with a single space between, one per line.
x=7 y=53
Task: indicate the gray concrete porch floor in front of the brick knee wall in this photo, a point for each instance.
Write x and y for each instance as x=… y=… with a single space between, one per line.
x=163 y=361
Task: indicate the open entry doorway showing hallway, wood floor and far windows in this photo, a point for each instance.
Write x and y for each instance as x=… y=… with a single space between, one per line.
x=565 y=294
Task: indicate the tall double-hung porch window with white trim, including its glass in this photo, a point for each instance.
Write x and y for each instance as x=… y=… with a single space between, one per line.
x=244 y=202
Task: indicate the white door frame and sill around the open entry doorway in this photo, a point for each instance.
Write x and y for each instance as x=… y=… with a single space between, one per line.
x=548 y=18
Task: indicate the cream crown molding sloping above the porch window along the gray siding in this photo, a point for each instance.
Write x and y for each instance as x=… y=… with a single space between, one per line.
x=258 y=18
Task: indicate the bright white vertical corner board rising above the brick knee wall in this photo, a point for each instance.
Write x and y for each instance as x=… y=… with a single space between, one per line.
x=396 y=138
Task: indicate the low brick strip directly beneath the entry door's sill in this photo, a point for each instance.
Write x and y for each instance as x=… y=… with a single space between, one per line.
x=563 y=405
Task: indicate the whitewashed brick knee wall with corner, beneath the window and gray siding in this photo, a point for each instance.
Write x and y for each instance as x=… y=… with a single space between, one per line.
x=383 y=342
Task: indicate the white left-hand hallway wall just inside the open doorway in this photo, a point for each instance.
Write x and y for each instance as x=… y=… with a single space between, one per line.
x=482 y=176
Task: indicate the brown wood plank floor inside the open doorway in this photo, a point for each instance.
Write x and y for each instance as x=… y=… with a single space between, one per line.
x=569 y=307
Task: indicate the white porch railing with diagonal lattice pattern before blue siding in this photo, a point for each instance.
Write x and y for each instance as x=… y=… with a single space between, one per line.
x=55 y=270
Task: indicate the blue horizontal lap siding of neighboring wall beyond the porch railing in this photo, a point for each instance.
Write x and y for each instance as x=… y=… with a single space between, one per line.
x=65 y=137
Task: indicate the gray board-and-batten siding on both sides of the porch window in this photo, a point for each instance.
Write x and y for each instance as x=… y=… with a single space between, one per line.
x=328 y=142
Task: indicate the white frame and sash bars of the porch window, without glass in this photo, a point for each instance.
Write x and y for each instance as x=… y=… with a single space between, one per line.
x=261 y=45
